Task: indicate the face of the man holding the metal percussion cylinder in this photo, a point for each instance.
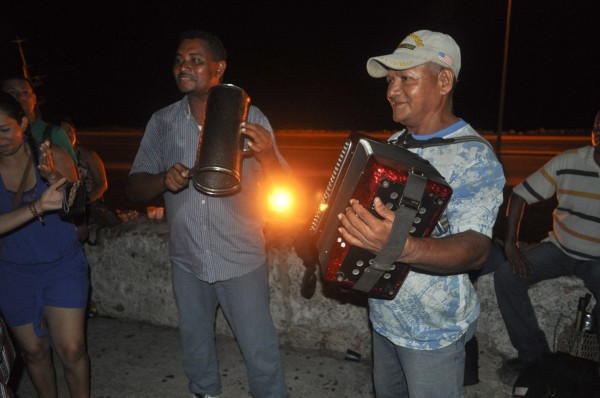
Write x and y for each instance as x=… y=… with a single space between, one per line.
x=194 y=69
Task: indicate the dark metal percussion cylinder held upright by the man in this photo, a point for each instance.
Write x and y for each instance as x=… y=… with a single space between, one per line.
x=217 y=171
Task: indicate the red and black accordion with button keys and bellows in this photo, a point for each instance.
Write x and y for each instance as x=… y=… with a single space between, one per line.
x=406 y=183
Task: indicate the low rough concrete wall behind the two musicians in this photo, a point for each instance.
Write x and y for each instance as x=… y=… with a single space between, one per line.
x=131 y=278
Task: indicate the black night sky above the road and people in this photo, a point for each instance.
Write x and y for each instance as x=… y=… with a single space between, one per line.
x=108 y=63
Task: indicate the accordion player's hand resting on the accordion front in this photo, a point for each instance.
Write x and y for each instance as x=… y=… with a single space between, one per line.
x=362 y=229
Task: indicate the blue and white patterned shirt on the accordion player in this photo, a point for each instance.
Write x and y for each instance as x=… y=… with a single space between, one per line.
x=433 y=311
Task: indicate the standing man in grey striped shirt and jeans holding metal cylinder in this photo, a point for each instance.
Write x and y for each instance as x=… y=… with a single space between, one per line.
x=217 y=246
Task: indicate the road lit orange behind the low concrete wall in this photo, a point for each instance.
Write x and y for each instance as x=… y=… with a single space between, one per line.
x=312 y=156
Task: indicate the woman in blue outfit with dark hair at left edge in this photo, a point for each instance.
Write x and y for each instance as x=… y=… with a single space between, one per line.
x=43 y=269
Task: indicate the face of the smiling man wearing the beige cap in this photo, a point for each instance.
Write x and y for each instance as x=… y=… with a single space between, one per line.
x=414 y=95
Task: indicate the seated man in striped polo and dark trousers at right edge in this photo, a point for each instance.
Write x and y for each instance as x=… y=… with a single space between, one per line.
x=571 y=248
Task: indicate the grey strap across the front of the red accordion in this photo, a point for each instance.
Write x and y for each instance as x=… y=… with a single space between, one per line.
x=405 y=214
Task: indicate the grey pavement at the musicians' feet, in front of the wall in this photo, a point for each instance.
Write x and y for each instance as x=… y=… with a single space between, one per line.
x=137 y=360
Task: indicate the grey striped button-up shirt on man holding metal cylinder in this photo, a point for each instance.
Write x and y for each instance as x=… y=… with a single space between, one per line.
x=215 y=238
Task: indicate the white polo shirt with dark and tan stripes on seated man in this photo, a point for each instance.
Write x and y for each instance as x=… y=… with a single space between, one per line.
x=574 y=177
